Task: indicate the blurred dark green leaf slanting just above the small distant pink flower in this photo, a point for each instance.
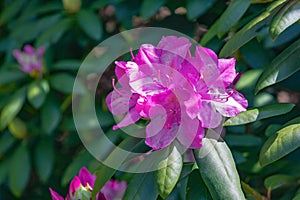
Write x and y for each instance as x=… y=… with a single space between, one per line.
x=54 y=32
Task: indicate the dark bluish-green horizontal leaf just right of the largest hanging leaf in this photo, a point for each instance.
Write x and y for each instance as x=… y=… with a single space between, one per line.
x=242 y=140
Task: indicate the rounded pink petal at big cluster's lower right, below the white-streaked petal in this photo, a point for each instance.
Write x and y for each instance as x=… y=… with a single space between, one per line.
x=208 y=116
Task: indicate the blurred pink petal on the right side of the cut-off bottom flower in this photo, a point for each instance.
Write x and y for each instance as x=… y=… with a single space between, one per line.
x=114 y=190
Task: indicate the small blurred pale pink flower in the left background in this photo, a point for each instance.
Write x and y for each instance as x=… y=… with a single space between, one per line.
x=31 y=60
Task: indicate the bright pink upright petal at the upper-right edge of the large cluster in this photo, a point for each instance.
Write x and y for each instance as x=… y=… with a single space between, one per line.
x=227 y=71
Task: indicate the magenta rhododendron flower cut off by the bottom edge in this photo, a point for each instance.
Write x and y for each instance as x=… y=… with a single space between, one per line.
x=81 y=188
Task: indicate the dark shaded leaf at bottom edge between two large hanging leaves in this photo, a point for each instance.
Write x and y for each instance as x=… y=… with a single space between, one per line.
x=196 y=188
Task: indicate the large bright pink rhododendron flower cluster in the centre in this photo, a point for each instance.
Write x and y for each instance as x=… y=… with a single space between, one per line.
x=180 y=93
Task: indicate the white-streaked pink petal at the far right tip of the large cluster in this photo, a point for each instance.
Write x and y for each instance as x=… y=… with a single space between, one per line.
x=235 y=104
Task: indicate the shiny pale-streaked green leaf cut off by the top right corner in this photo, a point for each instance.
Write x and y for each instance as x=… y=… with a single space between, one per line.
x=284 y=18
